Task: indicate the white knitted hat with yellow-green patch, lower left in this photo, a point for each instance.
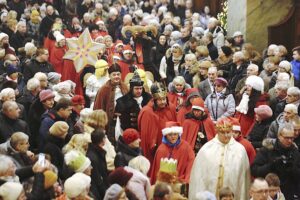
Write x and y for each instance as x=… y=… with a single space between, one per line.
x=76 y=161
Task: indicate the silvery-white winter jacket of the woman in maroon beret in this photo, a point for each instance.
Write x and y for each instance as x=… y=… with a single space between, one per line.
x=220 y=106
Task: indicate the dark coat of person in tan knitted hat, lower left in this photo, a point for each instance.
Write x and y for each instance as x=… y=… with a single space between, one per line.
x=53 y=147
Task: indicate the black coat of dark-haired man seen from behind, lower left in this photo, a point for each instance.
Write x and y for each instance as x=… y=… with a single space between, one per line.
x=99 y=182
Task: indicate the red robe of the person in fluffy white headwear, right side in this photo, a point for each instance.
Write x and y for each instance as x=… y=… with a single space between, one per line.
x=246 y=120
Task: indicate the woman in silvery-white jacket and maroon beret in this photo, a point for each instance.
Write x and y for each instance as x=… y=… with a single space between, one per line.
x=220 y=103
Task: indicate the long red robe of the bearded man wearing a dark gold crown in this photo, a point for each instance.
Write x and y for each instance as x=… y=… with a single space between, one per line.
x=150 y=124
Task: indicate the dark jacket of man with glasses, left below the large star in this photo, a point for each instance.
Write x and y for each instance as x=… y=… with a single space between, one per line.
x=34 y=66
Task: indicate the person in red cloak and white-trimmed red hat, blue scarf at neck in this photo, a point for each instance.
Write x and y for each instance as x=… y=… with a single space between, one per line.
x=173 y=147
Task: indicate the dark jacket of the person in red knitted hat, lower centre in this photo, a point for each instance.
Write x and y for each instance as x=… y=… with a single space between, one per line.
x=125 y=153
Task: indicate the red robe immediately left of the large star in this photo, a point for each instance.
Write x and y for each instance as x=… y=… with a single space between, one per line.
x=56 y=58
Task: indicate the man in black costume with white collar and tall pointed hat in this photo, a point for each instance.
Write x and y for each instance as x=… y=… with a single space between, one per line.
x=129 y=106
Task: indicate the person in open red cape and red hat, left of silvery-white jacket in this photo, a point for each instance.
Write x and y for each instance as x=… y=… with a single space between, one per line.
x=198 y=127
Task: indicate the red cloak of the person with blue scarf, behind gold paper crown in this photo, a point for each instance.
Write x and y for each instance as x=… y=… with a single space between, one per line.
x=184 y=155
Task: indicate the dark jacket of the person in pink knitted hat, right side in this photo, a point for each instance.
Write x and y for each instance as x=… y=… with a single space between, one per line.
x=258 y=133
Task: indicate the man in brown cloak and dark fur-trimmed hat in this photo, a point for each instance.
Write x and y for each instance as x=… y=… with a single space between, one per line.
x=107 y=96
